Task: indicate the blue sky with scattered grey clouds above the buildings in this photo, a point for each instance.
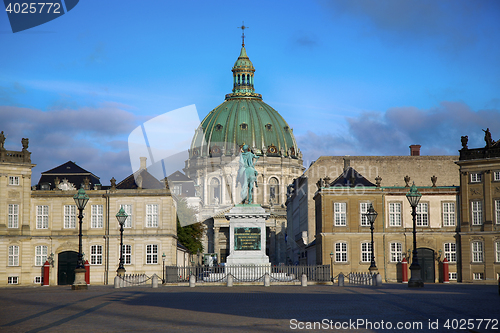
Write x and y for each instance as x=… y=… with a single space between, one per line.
x=356 y=77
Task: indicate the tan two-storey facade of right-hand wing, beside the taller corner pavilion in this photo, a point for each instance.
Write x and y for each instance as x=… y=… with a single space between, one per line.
x=393 y=237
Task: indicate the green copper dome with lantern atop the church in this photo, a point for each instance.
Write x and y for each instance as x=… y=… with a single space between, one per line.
x=243 y=119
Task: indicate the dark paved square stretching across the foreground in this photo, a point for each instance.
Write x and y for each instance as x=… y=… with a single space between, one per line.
x=249 y=308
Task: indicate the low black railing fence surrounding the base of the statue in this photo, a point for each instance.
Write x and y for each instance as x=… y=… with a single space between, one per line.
x=247 y=273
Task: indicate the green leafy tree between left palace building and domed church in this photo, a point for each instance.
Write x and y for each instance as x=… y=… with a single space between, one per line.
x=191 y=233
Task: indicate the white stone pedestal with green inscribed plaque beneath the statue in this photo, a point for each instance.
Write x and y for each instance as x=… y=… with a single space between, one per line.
x=247 y=236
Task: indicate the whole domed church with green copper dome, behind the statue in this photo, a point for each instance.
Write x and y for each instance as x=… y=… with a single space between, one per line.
x=243 y=119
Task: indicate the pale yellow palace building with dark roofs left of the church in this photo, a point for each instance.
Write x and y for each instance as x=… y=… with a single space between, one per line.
x=39 y=223
